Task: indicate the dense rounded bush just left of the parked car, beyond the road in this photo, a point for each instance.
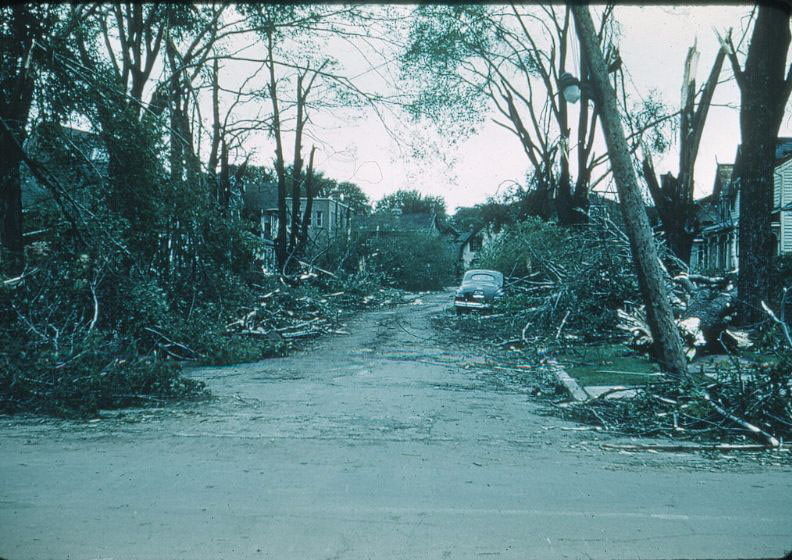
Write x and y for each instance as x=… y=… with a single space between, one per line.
x=412 y=261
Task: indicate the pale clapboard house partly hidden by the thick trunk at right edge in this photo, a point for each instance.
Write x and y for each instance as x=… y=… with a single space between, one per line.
x=716 y=248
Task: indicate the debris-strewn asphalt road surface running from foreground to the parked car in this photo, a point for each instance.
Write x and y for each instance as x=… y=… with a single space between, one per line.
x=383 y=443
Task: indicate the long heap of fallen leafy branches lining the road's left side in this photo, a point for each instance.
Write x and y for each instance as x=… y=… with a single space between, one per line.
x=61 y=352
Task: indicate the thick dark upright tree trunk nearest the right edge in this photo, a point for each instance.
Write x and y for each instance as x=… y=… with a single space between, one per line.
x=763 y=92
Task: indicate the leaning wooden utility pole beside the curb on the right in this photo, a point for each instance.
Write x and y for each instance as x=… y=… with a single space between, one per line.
x=668 y=345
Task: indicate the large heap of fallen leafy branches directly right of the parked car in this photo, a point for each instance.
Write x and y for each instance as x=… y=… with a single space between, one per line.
x=561 y=282
